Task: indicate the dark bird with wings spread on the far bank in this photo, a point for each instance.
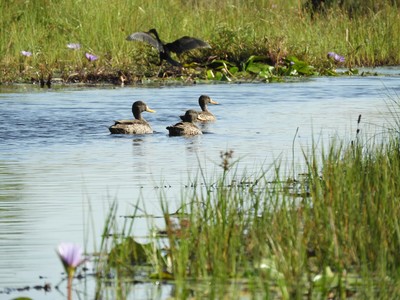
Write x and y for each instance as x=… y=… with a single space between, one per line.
x=179 y=46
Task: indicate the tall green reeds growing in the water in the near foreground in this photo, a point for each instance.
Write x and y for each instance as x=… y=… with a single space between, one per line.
x=332 y=232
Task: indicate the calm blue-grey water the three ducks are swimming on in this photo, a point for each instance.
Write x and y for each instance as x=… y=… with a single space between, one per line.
x=60 y=168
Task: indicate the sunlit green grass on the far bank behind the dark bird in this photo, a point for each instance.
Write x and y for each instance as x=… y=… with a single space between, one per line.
x=236 y=30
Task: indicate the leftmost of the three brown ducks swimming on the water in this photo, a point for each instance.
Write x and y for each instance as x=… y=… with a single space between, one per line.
x=136 y=126
